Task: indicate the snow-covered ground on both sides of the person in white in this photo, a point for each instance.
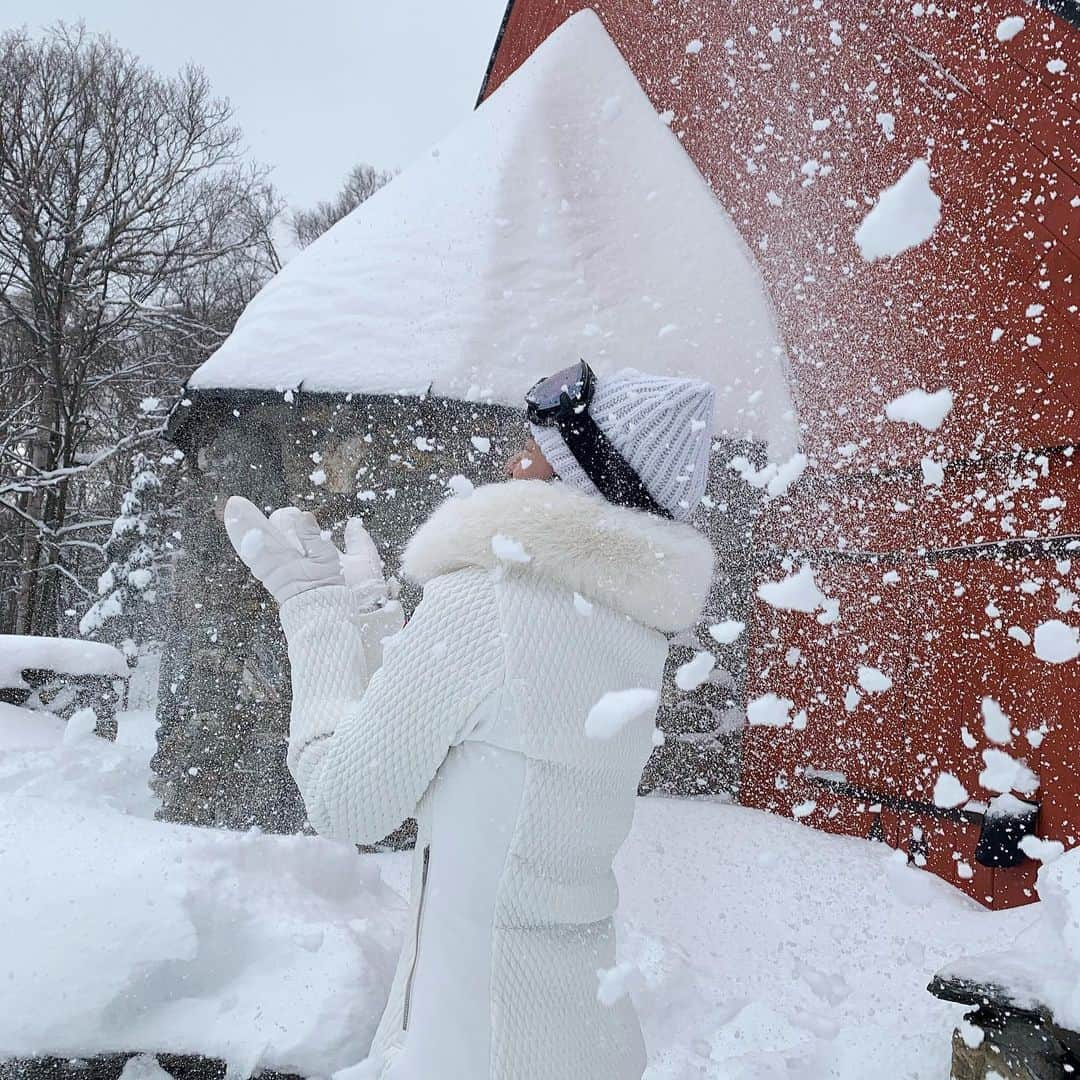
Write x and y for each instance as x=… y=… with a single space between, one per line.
x=757 y=949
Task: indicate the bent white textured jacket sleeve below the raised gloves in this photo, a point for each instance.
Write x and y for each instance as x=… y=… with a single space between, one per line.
x=366 y=740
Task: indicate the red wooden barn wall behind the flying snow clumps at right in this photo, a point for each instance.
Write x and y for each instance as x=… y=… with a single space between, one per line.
x=985 y=551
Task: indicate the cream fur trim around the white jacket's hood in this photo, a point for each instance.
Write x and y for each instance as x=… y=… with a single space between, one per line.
x=654 y=571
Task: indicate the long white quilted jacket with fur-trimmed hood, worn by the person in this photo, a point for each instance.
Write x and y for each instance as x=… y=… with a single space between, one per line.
x=474 y=719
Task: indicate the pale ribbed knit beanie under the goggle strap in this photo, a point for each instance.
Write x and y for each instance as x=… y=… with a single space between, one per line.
x=663 y=428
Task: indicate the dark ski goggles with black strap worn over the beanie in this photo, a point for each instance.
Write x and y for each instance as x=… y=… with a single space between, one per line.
x=562 y=401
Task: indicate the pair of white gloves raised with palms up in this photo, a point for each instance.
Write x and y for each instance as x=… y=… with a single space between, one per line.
x=290 y=555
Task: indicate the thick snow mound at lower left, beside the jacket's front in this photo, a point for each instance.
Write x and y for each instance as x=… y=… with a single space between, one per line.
x=268 y=952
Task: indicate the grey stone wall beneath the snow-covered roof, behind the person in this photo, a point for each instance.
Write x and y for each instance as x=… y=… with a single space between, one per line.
x=224 y=706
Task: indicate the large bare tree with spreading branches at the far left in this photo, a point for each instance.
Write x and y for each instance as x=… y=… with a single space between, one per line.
x=132 y=232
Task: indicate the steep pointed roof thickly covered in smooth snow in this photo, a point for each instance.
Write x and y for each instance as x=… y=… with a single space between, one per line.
x=562 y=220
